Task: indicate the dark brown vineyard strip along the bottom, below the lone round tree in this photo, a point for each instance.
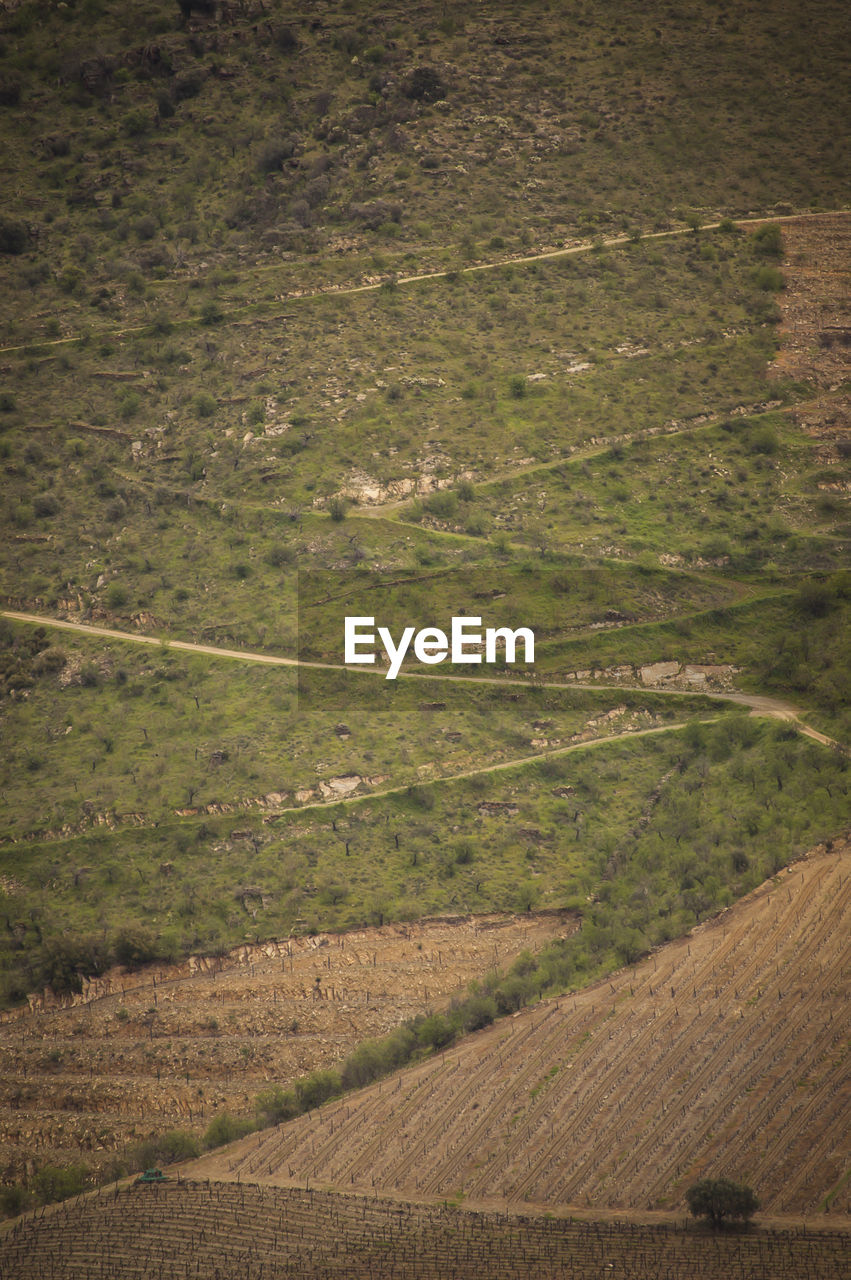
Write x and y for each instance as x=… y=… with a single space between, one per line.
x=187 y=1231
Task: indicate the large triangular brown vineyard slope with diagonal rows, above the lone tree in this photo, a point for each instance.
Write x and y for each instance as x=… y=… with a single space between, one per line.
x=725 y=1054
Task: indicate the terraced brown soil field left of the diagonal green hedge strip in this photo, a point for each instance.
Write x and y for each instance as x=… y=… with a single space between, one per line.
x=138 y=1054
